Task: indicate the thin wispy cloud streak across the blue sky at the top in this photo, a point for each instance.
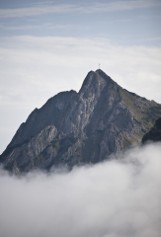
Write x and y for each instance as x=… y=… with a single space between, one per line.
x=84 y=8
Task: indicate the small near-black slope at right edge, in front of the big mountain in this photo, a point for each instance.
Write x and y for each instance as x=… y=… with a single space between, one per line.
x=154 y=134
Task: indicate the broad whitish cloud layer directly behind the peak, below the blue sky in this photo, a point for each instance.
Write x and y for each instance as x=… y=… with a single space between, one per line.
x=36 y=68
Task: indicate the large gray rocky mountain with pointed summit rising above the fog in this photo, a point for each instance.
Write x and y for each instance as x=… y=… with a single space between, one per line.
x=85 y=127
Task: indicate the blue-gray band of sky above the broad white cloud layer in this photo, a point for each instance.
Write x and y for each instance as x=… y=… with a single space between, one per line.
x=126 y=22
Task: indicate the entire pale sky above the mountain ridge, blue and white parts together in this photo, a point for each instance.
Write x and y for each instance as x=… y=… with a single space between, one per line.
x=49 y=46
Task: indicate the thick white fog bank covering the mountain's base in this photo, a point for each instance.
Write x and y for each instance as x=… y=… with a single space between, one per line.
x=118 y=198
